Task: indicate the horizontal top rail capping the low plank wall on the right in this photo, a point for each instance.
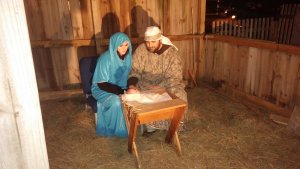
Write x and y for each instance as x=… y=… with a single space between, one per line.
x=256 y=43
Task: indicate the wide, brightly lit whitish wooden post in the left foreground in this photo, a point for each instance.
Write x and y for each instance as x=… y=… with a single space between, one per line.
x=22 y=139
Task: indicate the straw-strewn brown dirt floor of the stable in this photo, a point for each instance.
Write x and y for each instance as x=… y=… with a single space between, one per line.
x=221 y=133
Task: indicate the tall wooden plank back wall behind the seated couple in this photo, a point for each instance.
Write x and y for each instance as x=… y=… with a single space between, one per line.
x=64 y=21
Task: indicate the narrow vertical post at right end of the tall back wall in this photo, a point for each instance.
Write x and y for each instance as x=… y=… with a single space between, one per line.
x=202 y=31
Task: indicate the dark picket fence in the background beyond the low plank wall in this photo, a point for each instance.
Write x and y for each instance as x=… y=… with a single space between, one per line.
x=279 y=30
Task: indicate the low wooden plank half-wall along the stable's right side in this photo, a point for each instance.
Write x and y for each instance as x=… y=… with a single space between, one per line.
x=260 y=69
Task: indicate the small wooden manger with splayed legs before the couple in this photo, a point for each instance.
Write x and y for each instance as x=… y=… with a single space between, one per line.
x=136 y=114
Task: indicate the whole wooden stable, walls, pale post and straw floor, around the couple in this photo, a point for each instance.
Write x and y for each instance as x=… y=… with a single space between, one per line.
x=242 y=85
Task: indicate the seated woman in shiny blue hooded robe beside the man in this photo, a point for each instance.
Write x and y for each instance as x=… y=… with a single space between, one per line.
x=109 y=81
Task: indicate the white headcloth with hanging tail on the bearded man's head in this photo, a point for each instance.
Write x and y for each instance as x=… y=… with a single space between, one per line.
x=153 y=33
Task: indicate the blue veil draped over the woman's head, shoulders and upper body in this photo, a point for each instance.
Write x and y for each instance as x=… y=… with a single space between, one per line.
x=110 y=67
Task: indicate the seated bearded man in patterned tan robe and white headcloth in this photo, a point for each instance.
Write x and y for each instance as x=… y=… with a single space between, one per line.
x=157 y=63
